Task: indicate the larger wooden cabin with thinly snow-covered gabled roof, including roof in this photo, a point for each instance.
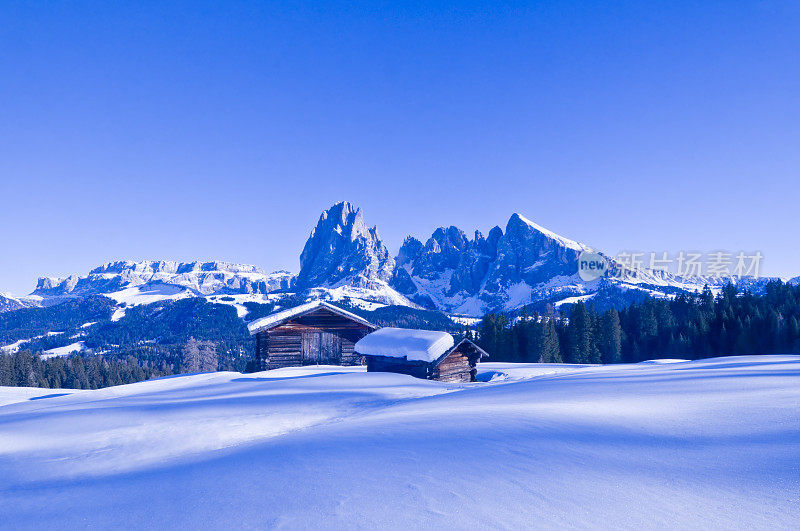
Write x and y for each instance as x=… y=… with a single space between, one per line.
x=316 y=333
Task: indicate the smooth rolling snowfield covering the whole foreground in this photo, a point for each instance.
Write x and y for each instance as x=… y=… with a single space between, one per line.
x=706 y=444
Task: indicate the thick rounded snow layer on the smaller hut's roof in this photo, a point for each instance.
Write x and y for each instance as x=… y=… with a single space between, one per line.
x=417 y=345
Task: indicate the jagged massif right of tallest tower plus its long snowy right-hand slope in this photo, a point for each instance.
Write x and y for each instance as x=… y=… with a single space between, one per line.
x=525 y=264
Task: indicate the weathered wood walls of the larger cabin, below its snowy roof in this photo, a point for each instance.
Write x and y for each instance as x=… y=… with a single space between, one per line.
x=318 y=337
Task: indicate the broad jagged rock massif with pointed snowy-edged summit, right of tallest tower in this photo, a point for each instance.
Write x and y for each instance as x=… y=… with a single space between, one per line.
x=454 y=273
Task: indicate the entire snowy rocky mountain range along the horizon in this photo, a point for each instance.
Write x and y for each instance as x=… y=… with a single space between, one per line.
x=345 y=260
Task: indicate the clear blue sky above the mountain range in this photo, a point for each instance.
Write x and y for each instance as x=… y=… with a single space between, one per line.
x=221 y=130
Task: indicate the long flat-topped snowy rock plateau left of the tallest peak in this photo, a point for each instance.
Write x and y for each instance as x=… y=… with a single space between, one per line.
x=199 y=278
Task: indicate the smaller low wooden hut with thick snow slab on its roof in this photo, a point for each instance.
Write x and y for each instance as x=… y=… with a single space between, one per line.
x=421 y=353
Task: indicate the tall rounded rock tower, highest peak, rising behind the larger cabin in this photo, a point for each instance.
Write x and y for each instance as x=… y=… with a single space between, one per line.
x=343 y=251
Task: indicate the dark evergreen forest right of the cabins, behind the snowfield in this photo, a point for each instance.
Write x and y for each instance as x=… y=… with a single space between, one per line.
x=689 y=326
